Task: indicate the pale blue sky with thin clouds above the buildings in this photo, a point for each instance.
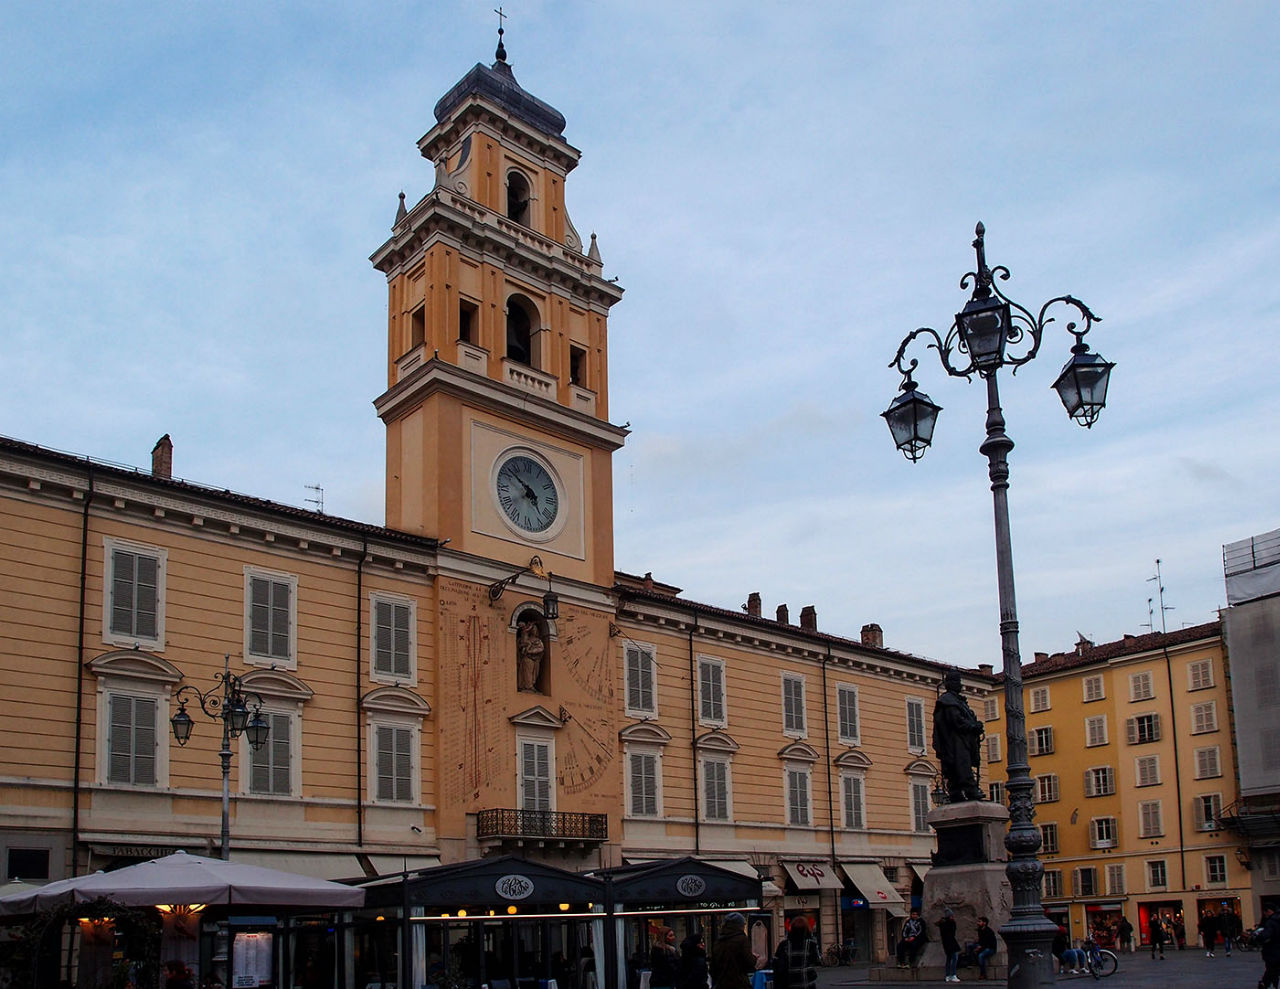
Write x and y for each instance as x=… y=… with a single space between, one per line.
x=190 y=194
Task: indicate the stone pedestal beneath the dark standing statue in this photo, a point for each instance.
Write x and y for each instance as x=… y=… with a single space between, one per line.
x=968 y=876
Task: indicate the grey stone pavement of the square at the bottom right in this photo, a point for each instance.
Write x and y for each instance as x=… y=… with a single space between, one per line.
x=1186 y=969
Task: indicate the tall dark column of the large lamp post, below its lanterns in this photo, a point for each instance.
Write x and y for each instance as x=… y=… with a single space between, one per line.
x=1028 y=935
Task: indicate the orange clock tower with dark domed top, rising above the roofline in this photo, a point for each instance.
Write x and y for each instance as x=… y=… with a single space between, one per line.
x=497 y=404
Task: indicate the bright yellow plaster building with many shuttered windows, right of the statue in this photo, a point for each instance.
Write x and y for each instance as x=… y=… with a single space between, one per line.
x=1131 y=747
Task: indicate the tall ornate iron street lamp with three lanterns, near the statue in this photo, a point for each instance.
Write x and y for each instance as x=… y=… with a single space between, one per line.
x=977 y=345
